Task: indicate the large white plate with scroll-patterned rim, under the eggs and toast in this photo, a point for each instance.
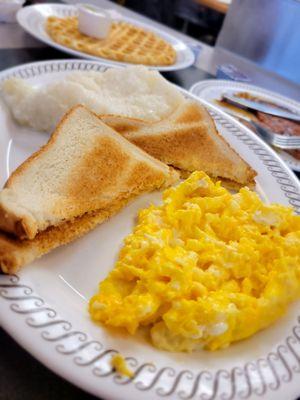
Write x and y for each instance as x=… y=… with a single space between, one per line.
x=45 y=307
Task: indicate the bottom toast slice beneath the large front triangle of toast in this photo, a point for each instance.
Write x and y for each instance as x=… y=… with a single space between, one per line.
x=15 y=253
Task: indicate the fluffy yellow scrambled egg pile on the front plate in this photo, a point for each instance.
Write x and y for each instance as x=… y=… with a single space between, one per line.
x=204 y=269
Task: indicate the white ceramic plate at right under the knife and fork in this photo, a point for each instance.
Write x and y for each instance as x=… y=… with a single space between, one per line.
x=211 y=90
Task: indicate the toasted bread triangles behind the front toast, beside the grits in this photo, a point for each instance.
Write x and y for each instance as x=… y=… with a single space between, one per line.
x=187 y=140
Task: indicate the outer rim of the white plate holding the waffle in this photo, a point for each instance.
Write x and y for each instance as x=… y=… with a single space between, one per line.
x=25 y=11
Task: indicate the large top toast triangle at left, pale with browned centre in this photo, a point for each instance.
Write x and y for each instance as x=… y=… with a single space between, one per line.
x=85 y=166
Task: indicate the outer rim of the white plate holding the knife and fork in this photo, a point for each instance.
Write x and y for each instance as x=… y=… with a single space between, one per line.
x=197 y=88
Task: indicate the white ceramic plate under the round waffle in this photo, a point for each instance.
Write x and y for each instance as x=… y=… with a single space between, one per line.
x=33 y=18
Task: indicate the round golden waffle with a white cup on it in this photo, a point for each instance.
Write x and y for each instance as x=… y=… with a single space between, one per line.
x=125 y=42
